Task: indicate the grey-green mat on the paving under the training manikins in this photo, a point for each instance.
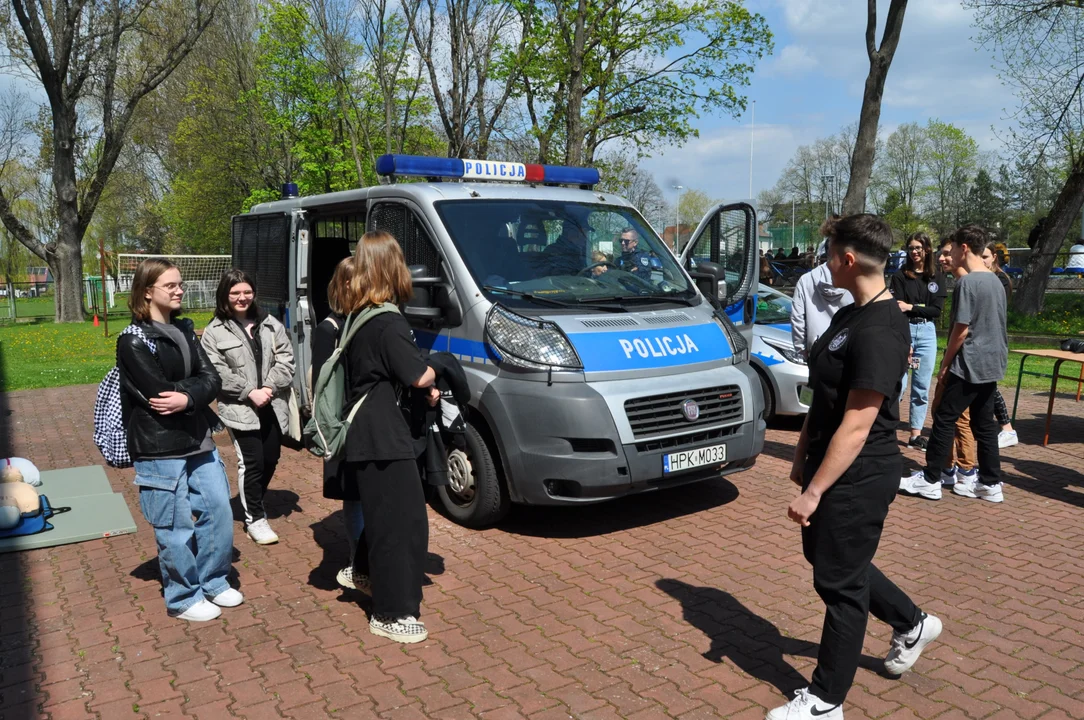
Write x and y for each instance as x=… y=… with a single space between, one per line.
x=97 y=512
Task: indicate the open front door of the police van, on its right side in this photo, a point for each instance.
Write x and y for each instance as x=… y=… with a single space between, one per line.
x=726 y=241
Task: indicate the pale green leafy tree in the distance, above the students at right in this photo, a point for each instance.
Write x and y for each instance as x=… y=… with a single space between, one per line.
x=950 y=157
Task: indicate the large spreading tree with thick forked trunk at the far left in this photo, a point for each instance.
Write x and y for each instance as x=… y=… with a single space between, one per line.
x=97 y=60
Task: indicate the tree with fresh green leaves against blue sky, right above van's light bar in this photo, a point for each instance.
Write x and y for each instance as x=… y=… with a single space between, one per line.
x=597 y=72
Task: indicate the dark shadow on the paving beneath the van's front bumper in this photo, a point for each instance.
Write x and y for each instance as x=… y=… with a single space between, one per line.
x=621 y=515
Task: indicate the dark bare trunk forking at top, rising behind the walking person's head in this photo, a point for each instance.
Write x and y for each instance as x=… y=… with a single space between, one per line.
x=881 y=60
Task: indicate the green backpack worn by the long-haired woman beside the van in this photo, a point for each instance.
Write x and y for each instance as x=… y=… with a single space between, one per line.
x=325 y=434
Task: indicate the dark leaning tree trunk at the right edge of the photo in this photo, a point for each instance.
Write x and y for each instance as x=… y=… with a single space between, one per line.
x=1028 y=300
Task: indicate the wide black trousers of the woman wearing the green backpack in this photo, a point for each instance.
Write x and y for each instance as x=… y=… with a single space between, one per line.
x=393 y=548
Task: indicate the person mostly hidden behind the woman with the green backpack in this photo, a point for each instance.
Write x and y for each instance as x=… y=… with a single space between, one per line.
x=325 y=339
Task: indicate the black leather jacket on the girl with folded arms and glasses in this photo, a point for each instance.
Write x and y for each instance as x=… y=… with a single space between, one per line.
x=146 y=376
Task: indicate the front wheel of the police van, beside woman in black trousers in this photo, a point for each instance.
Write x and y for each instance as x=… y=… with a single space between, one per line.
x=475 y=496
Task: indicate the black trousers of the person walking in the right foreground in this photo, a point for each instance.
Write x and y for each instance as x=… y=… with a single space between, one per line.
x=841 y=544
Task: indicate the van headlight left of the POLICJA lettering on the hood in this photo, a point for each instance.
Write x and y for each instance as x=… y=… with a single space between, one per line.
x=528 y=343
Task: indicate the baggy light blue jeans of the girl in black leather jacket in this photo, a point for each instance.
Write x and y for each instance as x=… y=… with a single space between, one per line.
x=193 y=555
